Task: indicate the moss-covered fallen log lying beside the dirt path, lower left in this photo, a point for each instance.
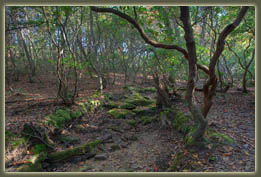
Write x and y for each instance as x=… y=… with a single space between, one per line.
x=63 y=155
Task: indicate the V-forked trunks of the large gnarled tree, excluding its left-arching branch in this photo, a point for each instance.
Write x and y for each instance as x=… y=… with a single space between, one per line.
x=210 y=86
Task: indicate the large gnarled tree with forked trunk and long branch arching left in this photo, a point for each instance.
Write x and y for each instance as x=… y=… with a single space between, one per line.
x=199 y=115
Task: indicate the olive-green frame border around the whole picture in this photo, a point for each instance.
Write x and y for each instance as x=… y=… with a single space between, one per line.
x=125 y=2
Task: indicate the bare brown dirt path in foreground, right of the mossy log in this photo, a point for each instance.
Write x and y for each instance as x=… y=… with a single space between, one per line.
x=140 y=155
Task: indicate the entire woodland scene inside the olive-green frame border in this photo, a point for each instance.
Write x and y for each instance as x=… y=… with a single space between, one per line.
x=130 y=88
